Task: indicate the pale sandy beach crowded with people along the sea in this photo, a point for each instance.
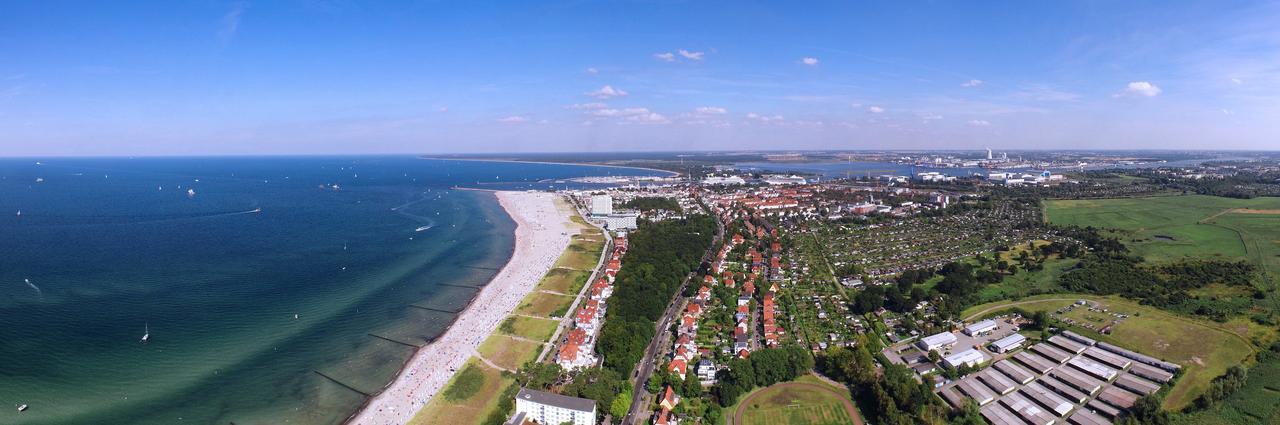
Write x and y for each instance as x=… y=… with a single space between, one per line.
x=542 y=235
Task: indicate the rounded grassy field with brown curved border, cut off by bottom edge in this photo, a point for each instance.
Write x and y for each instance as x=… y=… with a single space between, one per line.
x=804 y=401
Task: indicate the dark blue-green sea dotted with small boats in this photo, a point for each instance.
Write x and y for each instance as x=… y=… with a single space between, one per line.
x=277 y=290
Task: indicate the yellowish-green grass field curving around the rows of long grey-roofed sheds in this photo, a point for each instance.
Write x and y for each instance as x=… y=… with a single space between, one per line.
x=1205 y=349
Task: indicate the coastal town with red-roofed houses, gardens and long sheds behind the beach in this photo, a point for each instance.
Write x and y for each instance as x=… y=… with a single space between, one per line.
x=833 y=285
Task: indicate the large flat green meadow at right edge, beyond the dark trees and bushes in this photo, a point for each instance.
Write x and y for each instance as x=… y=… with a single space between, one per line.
x=1176 y=227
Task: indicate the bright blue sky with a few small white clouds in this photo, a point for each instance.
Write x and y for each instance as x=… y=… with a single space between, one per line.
x=365 y=77
